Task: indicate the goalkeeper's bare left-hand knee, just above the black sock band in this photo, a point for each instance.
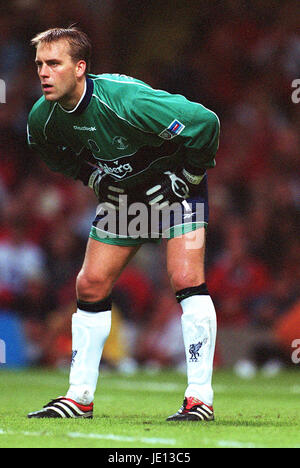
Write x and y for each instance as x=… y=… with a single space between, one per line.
x=91 y=287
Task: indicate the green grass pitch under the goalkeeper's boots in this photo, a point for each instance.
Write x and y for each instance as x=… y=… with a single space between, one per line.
x=130 y=411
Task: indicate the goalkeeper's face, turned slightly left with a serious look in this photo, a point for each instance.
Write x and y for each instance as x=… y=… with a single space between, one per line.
x=57 y=71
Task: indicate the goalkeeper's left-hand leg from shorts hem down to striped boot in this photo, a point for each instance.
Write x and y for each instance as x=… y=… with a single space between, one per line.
x=91 y=324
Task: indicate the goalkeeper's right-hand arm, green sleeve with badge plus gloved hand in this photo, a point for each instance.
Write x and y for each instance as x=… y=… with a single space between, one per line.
x=192 y=126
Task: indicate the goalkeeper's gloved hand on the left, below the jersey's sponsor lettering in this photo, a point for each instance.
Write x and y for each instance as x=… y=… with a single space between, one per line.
x=104 y=189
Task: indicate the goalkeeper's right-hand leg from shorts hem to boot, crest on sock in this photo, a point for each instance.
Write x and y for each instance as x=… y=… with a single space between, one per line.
x=185 y=260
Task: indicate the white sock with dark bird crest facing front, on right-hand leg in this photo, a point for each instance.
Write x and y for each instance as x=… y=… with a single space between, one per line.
x=199 y=326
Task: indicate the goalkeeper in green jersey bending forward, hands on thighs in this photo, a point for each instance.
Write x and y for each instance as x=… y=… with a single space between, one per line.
x=131 y=144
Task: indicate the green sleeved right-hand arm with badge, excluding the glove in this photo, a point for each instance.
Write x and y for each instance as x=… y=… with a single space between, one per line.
x=173 y=117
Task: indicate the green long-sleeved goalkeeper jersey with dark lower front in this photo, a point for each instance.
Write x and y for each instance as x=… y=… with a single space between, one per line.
x=125 y=127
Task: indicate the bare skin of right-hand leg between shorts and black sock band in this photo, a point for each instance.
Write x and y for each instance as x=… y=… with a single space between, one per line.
x=185 y=259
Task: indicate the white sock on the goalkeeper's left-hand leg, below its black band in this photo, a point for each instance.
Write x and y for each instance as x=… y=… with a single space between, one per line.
x=89 y=333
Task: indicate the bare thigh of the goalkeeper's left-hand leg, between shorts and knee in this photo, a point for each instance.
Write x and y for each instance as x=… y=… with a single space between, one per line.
x=105 y=262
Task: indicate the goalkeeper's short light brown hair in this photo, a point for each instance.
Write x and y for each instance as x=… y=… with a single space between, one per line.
x=79 y=42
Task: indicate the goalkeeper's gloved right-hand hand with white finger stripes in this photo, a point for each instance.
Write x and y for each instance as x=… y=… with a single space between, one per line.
x=172 y=187
